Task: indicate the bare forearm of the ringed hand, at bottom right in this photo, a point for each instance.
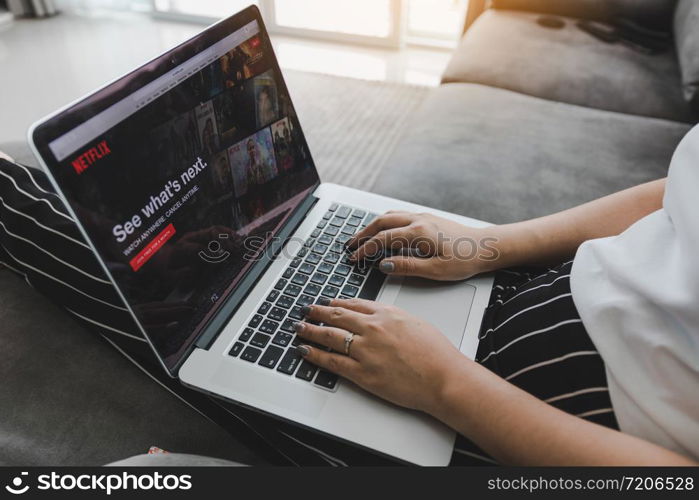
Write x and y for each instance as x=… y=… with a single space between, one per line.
x=516 y=428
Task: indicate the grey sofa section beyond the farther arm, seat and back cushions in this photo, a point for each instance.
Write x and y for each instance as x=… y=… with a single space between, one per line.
x=531 y=120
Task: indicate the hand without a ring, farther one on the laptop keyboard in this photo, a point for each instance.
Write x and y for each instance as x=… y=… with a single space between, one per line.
x=429 y=246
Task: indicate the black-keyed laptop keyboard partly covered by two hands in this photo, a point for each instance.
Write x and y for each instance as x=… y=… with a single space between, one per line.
x=320 y=269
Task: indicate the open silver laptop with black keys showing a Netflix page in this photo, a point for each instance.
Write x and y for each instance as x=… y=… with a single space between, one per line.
x=192 y=181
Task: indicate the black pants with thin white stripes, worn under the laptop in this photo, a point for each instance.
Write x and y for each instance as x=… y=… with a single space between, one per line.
x=532 y=335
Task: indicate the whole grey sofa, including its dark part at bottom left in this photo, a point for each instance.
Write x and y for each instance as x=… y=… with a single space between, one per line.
x=529 y=121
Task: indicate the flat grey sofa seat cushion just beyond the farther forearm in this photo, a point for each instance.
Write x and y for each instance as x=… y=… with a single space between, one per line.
x=502 y=157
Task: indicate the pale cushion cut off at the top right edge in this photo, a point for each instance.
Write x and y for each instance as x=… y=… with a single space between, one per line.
x=687 y=40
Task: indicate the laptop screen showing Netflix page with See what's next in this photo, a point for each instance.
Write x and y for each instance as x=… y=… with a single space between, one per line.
x=182 y=172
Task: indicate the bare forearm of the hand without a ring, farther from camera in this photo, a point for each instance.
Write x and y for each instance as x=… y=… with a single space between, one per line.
x=551 y=239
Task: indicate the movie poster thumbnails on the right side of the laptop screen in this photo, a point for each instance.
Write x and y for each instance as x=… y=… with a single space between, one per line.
x=242 y=127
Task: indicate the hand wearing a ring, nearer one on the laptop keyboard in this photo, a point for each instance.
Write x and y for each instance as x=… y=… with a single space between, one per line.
x=393 y=354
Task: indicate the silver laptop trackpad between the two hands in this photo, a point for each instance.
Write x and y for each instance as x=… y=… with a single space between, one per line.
x=444 y=304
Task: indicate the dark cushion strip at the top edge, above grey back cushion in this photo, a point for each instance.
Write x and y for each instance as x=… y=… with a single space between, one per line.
x=656 y=14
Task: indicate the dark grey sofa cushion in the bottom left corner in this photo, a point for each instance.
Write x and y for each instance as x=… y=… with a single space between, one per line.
x=68 y=398
